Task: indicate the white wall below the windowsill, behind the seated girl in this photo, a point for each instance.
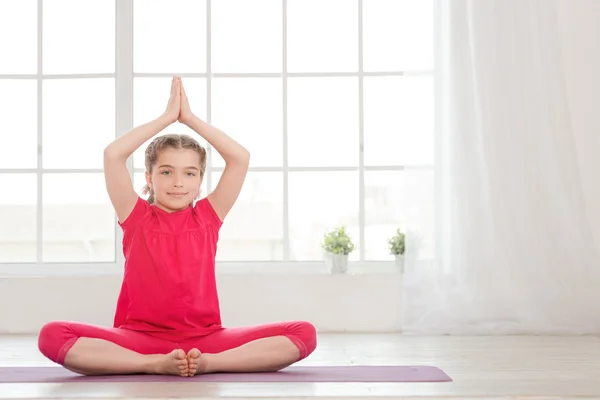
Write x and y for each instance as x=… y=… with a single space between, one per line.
x=353 y=302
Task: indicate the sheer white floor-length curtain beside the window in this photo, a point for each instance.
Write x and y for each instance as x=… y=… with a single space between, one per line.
x=515 y=253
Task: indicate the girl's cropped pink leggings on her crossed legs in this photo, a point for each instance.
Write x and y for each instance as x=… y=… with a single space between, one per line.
x=56 y=338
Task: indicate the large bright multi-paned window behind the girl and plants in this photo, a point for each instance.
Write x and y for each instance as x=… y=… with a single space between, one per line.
x=334 y=99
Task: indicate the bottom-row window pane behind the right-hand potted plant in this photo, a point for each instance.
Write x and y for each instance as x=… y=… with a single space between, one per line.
x=399 y=199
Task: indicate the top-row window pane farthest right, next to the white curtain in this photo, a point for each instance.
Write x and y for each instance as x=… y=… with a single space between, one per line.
x=397 y=35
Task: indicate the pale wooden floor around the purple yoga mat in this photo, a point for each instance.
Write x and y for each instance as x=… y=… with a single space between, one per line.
x=482 y=368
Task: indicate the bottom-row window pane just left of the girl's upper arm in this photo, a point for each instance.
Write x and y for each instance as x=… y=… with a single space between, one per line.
x=78 y=219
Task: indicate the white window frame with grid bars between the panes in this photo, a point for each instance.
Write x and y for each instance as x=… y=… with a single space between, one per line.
x=124 y=76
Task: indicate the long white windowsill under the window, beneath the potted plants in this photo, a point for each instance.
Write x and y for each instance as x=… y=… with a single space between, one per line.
x=223 y=268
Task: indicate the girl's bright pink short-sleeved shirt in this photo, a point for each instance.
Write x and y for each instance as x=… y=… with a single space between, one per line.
x=169 y=288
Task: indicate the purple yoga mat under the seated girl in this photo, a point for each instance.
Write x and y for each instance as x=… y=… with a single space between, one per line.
x=353 y=373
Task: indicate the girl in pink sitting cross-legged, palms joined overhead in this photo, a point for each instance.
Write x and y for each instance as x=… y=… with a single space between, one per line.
x=167 y=319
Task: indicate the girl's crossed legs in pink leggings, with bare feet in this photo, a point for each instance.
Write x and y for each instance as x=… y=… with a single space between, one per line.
x=95 y=350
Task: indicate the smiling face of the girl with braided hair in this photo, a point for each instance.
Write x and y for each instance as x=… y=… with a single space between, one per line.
x=175 y=179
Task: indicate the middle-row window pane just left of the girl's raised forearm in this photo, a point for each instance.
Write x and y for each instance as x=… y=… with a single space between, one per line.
x=78 y=121
